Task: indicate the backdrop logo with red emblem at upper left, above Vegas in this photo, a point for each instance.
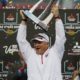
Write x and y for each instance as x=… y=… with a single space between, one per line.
x=10 y=22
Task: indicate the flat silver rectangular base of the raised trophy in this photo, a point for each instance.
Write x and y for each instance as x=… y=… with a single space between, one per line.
x=36 y=20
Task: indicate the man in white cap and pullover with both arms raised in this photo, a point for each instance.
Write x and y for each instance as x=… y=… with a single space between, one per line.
x=43 y=62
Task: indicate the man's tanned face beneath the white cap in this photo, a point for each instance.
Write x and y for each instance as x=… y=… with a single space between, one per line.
x=40 y=47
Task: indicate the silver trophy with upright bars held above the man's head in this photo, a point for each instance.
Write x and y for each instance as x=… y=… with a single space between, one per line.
x=43 y=23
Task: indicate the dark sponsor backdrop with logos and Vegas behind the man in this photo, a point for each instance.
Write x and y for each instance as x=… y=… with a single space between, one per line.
x=9 y=22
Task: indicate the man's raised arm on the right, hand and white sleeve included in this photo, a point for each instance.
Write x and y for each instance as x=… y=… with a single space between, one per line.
x=60 y=32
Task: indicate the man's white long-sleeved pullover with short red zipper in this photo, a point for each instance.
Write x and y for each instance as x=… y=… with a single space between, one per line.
x=48 y=66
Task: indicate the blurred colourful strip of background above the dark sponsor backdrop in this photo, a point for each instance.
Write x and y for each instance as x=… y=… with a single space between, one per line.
x=23 y=3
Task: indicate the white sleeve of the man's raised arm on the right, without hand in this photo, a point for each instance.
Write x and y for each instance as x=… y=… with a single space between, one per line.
x=60 y=37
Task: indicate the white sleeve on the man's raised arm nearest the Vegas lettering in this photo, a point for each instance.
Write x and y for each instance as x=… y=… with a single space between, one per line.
x=24 y=45
